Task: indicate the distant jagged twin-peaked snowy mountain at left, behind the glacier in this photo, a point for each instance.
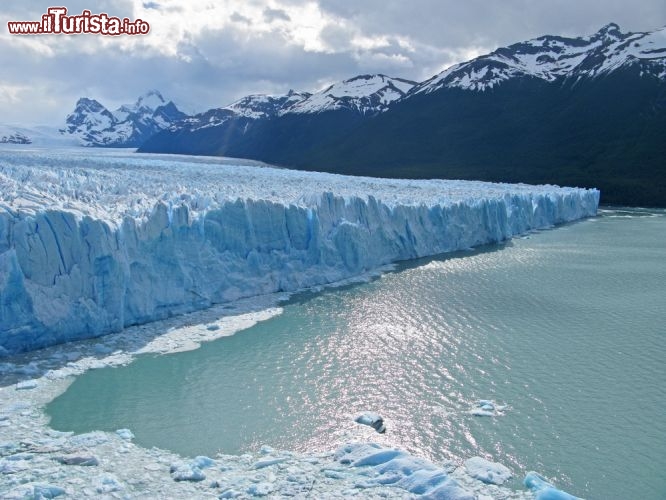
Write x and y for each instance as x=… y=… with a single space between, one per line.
x=128 y=126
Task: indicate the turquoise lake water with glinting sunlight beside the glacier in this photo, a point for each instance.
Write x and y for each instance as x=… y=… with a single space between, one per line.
x=565 y=326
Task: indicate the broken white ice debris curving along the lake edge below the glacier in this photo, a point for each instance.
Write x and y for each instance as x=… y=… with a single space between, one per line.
x=37 y=460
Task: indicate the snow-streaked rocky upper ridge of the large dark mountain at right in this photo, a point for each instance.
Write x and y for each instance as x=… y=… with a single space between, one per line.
x=551 y=58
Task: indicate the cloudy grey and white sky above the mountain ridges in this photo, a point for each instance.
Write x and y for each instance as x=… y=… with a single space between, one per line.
x=207 y=53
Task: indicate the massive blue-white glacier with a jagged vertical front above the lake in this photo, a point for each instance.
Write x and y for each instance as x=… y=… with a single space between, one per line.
x=92 y=242
